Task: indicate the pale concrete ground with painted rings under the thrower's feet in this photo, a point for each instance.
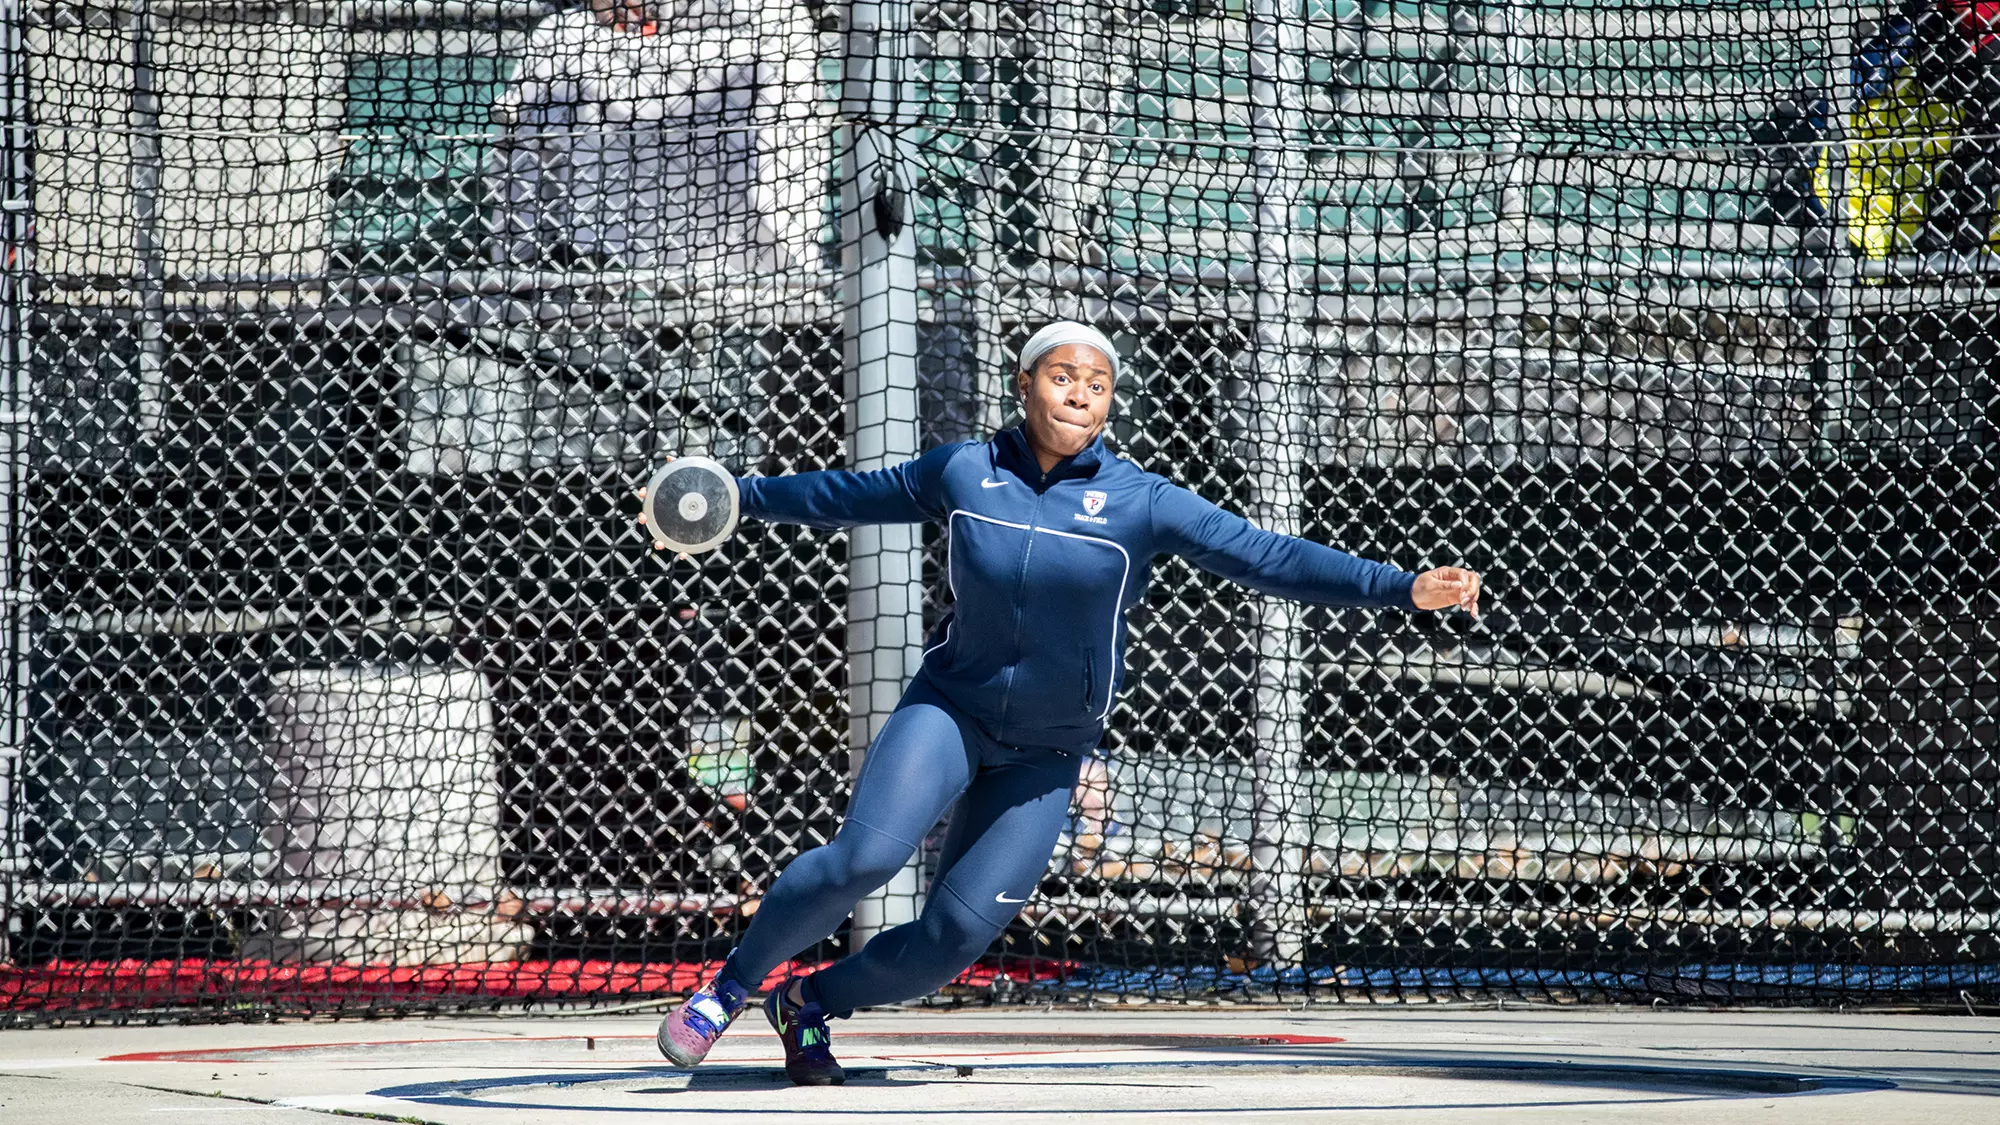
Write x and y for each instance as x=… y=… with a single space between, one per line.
x=1029 y=1066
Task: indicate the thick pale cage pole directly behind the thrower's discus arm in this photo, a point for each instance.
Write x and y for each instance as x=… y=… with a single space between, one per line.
x=879 y=357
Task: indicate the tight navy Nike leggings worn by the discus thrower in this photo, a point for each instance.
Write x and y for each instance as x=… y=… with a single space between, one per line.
x=1011 y=808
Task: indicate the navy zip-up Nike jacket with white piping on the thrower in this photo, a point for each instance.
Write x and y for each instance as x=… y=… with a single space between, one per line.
x=1045 y=566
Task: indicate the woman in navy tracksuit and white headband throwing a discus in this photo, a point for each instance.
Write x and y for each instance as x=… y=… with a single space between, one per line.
x=1051 y=543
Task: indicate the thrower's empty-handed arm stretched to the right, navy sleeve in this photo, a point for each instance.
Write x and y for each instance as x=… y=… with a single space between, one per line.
x=1229 y=545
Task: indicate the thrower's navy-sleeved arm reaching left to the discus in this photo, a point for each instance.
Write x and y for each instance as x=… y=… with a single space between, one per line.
x=837 y=497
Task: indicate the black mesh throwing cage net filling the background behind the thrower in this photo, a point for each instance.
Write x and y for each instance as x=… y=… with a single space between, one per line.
x=341 y=333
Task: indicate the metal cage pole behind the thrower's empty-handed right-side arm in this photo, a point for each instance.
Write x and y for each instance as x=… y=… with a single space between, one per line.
x=1281 y=808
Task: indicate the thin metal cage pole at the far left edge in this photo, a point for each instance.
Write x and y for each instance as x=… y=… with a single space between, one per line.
x=17 y=229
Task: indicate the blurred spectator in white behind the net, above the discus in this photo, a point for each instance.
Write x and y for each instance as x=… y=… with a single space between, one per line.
x=663 y=135
